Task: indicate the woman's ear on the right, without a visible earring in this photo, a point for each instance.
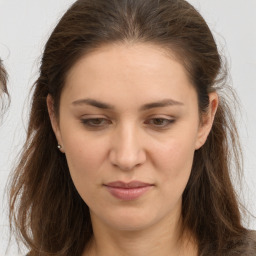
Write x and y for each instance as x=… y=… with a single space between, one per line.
x=207 y=120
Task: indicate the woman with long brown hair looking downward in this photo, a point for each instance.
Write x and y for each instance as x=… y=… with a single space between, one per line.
x=130 y=141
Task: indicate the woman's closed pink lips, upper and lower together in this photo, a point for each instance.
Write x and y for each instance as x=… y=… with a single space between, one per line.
x=128 y=191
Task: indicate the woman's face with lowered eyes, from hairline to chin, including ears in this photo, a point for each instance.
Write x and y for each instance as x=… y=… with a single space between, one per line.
x=130 y=113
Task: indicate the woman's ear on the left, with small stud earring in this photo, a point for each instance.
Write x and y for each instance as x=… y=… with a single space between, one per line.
x=54 y=121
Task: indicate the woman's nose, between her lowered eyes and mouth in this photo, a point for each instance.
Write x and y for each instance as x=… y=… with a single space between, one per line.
x=127 y=151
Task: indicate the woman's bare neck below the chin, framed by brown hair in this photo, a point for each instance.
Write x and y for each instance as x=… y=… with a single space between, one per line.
x=160 y=239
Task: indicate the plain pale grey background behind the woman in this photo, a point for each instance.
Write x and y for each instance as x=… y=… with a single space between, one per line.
x=25 y=26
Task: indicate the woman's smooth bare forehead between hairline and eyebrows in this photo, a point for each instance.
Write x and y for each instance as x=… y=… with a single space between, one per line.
x=140 y=72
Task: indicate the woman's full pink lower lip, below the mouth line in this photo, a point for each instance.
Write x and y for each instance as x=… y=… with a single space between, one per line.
x=128 y=193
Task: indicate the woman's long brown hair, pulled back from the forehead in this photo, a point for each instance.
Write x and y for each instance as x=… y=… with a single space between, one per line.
x=47 y=211
